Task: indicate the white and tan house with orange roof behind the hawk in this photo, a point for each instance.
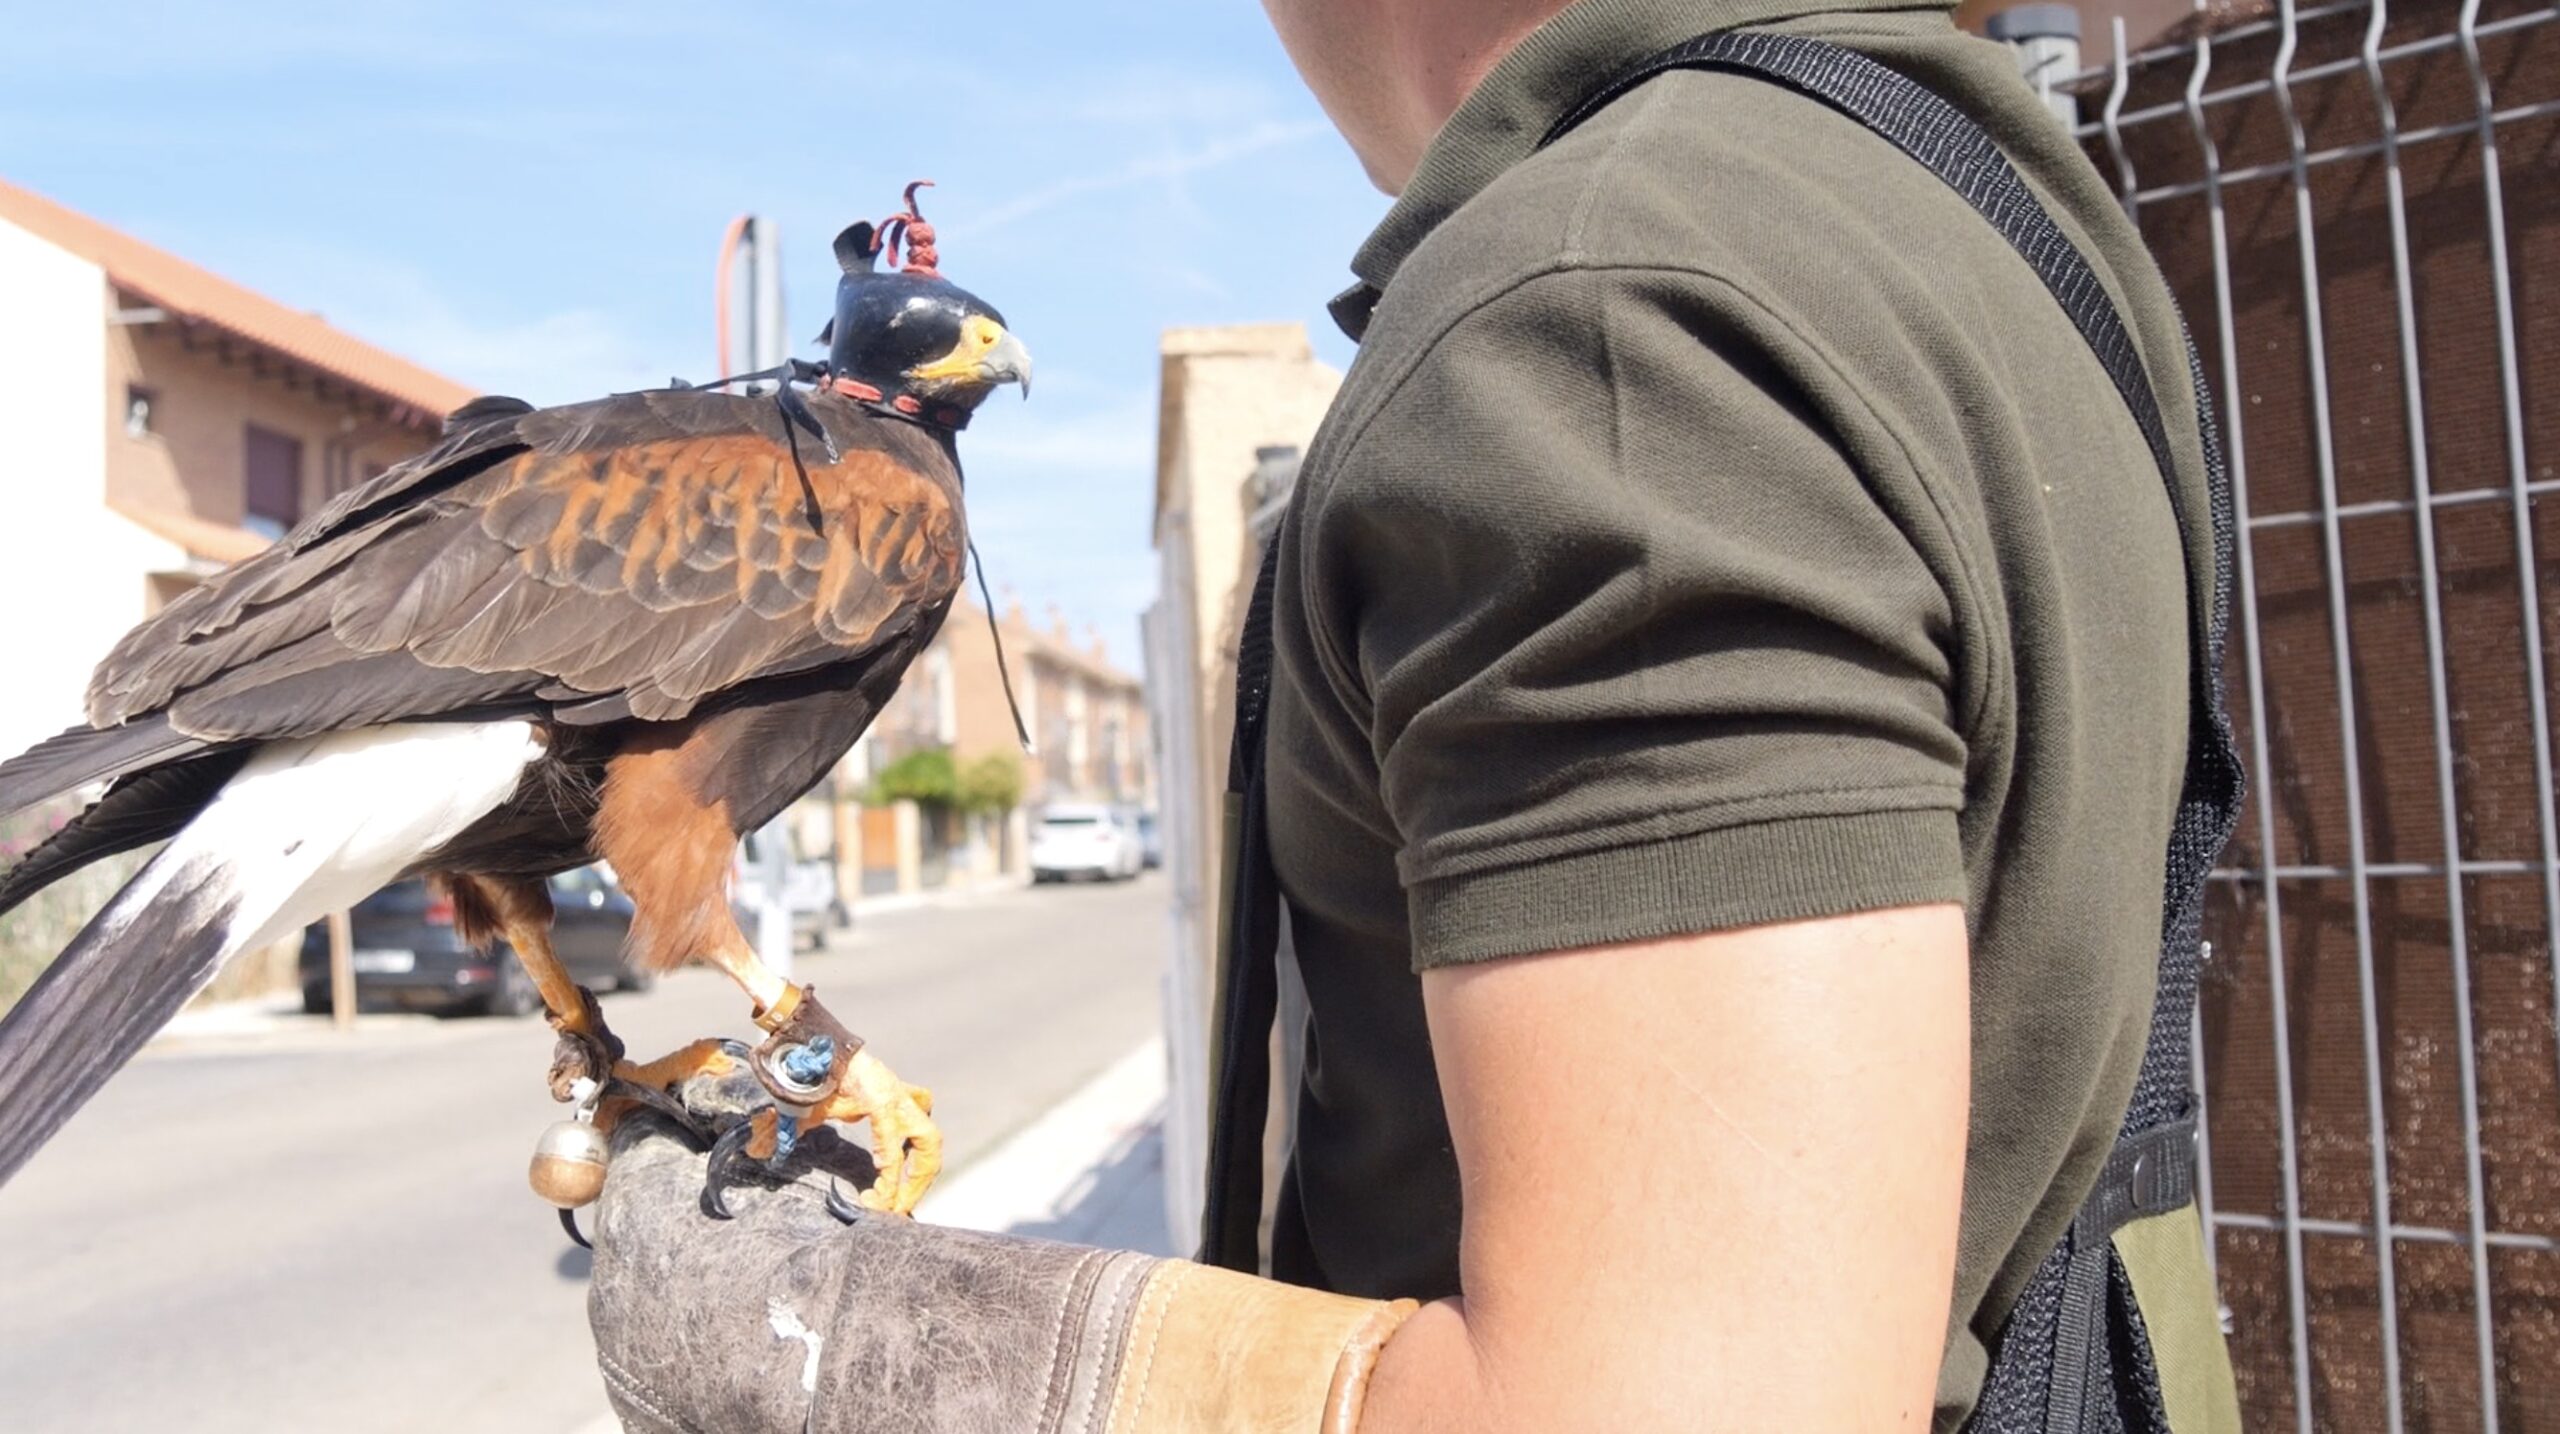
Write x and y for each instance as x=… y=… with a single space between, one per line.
x=155 y=426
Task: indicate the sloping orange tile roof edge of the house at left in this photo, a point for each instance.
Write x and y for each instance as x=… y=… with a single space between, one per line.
x=209 y=298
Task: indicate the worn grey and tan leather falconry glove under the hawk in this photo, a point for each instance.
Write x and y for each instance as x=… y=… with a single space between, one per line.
x=795 y=1317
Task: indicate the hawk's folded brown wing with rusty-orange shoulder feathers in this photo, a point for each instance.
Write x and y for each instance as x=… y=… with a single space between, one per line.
x=628 y=554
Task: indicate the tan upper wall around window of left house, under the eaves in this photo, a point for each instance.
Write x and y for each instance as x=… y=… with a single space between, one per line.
x=193 y=462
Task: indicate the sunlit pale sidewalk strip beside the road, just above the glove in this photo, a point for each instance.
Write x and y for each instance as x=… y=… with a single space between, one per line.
x=1043 y=1169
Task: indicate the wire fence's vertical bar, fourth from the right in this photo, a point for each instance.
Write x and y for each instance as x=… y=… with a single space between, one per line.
x=2246 y=590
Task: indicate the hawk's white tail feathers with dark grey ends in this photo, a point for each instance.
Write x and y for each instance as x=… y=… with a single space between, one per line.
x=306 y=828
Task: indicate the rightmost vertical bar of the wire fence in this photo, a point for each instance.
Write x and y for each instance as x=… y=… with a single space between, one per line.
x=2520 y=501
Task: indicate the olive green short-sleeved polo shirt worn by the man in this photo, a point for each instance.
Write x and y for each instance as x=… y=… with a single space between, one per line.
x=1724 y=526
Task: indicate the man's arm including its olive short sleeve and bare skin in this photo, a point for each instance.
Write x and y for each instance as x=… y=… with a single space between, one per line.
x=1668 y=721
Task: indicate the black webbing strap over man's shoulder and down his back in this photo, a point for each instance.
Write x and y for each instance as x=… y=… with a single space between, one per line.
x=2072 y=1356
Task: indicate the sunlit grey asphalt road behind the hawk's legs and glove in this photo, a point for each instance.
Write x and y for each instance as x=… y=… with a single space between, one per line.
x=314 y=1230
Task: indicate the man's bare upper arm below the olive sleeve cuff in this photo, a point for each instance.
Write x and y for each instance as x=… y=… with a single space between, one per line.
x=1711 y=1182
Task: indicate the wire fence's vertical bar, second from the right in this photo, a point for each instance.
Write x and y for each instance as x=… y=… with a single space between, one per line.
x=2438 y=708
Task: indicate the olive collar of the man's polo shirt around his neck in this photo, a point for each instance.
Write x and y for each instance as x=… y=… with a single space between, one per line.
x=1507 y=117
